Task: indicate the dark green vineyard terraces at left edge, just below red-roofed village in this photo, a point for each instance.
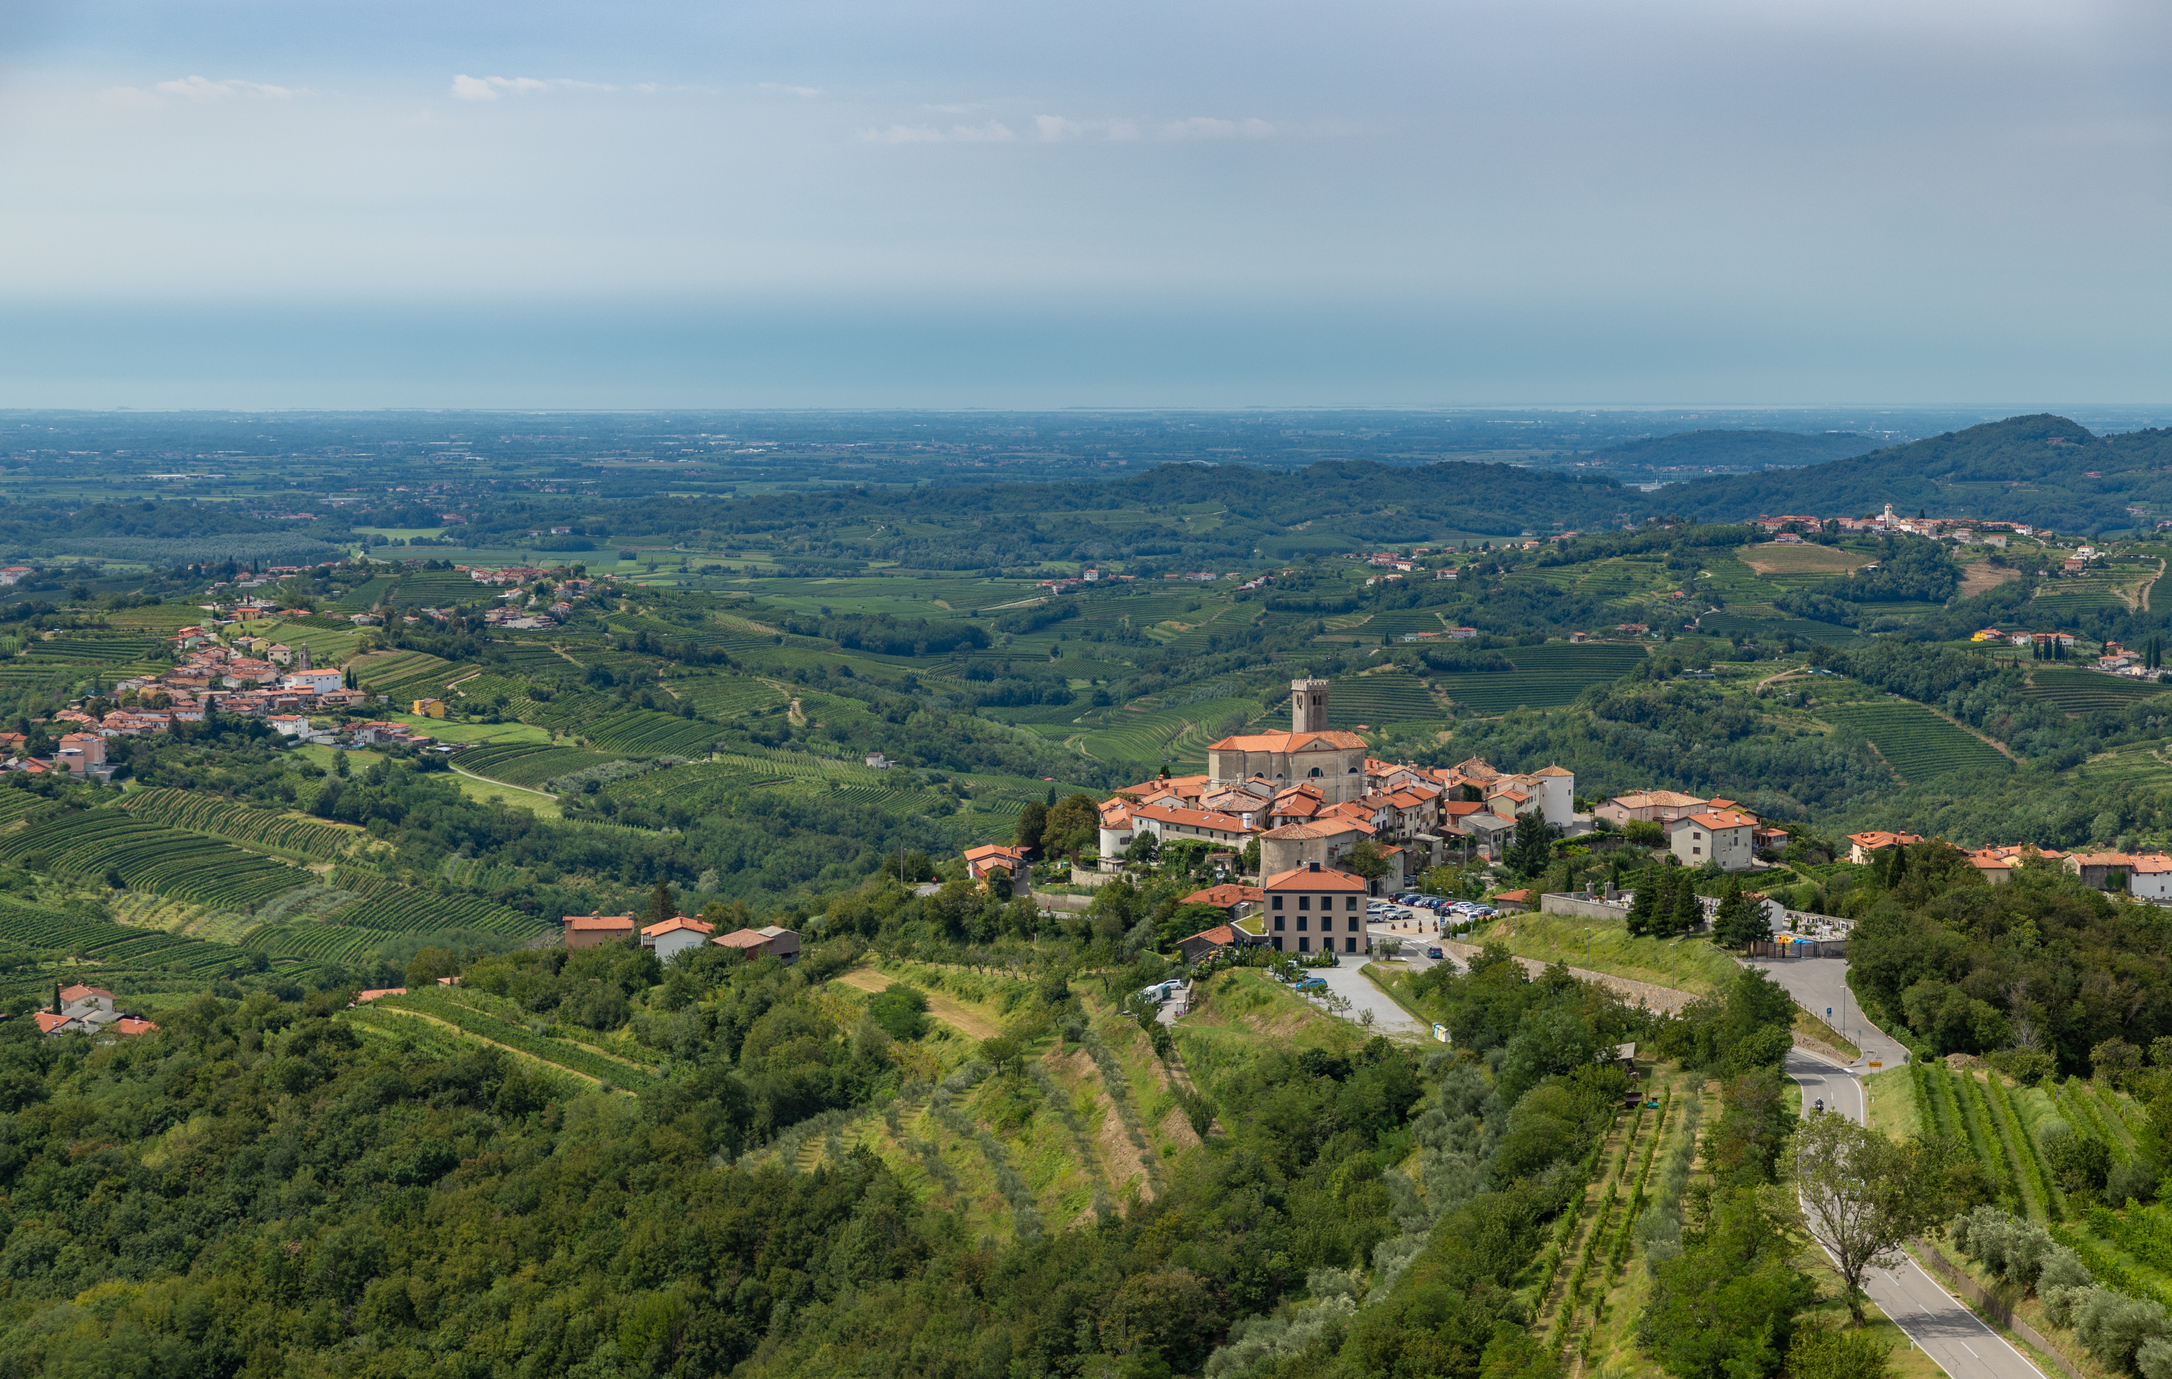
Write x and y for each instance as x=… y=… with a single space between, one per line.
x=151 y=857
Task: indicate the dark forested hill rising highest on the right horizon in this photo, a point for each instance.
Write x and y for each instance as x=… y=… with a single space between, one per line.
x=2041 y=470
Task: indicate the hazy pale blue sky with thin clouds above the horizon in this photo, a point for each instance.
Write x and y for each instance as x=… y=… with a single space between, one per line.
x=963 y=203
